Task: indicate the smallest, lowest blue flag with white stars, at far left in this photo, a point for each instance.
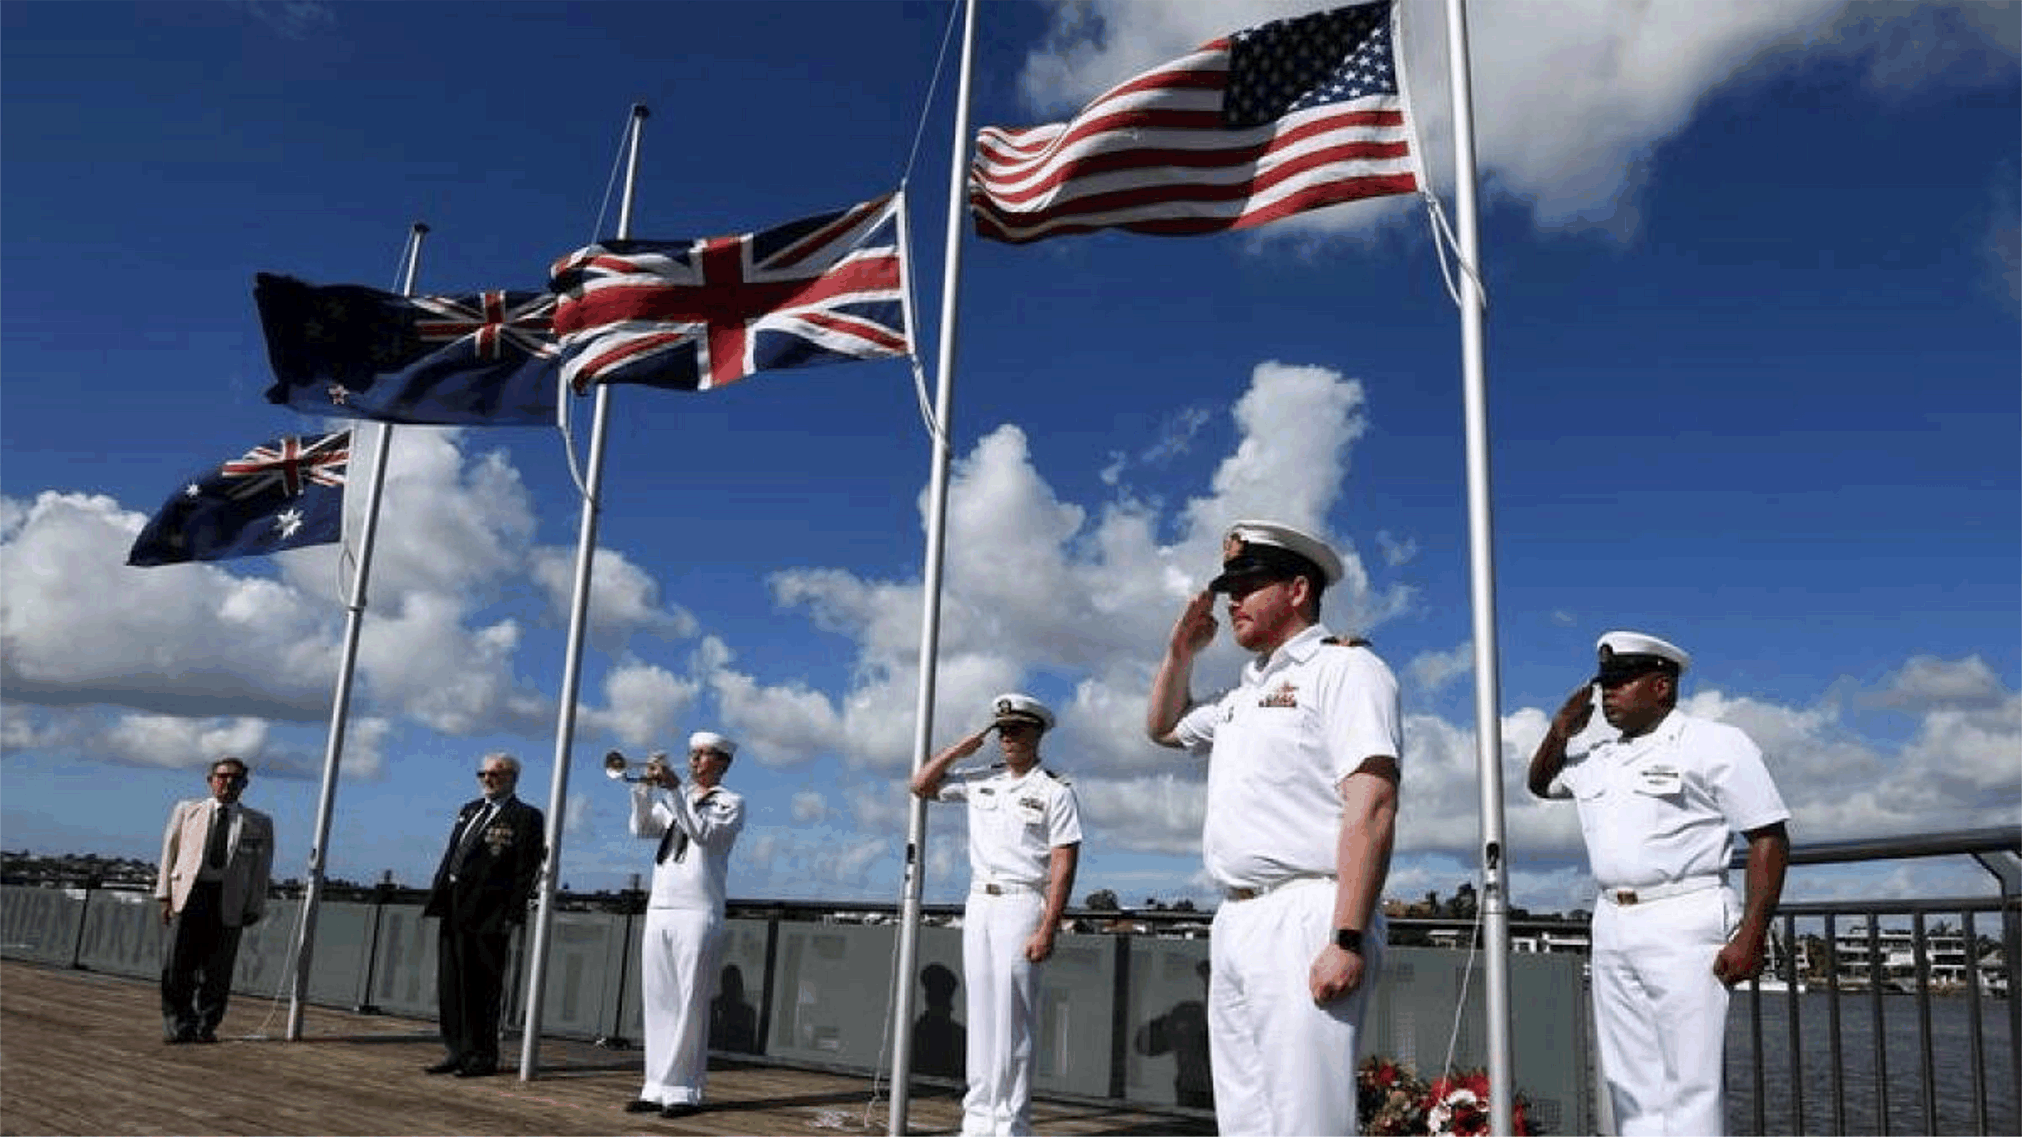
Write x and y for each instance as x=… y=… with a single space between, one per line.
x=284 y=495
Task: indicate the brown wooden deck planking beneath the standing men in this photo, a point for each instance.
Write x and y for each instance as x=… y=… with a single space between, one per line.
x=80 y=1053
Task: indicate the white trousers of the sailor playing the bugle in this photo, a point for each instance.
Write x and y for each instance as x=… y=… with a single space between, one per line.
x=676 y=978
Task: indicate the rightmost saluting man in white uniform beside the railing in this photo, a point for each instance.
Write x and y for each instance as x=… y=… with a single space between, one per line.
x=1661 y=798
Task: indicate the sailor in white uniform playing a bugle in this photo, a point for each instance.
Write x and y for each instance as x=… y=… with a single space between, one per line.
x=684 y=917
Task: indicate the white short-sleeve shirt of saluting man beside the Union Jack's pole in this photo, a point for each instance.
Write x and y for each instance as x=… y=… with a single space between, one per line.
x=1014 y=822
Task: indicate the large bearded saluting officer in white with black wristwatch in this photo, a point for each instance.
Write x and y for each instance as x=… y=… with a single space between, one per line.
x=1301 y=816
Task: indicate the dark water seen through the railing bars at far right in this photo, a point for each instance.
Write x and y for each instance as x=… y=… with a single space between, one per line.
x=1855 y=1071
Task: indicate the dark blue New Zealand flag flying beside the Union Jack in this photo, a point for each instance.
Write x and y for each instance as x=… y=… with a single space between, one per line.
x=482 y=361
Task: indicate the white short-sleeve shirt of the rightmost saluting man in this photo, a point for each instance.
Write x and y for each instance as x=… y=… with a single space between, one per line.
x=1667 y=804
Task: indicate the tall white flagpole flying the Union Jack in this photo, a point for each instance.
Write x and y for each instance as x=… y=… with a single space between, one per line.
x=937 y=523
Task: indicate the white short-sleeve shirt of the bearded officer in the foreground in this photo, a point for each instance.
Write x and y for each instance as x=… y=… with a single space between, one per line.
x=1279 y=746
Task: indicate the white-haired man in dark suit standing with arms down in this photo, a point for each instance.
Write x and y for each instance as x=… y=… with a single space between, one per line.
x=480 y=893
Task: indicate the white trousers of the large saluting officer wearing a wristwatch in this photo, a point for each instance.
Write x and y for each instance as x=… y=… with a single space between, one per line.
x=1283 y=1065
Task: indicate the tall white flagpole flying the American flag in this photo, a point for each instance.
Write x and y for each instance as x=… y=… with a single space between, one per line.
x=1481 y=582
